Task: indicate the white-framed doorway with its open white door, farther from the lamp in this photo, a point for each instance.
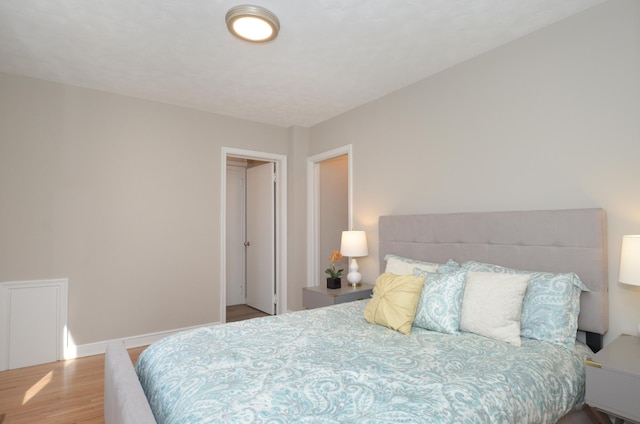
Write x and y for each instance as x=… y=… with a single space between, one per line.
x=269 y=277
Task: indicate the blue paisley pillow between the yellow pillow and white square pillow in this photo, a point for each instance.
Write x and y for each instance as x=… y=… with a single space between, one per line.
x=440 y=302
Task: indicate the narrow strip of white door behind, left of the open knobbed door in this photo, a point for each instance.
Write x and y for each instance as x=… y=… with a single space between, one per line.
x=235 y=294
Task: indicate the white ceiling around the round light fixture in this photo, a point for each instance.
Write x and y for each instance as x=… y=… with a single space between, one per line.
x=330 y=56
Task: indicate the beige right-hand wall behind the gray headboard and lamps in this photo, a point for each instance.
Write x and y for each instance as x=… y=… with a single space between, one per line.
x=550 y=121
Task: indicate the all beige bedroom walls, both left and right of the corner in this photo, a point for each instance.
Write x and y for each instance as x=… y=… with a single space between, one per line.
x=122 y=195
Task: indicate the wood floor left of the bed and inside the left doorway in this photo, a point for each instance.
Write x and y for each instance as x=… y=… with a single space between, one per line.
x=68 y=392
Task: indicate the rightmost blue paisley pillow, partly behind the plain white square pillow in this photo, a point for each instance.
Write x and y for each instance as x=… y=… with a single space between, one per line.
x=551 y=304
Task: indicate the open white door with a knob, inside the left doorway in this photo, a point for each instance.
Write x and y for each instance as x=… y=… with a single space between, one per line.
x=261 y=237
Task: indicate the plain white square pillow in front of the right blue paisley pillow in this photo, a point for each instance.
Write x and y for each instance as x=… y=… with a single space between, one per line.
x=492 y=305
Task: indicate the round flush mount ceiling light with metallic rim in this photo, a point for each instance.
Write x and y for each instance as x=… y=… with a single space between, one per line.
x=252 y=23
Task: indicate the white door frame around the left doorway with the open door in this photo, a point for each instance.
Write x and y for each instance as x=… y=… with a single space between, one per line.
x=280 y=162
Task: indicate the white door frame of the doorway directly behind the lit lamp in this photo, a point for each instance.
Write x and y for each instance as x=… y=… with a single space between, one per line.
x=313 y=205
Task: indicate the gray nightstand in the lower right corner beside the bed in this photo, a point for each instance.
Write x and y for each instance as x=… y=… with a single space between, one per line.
x=613 y=379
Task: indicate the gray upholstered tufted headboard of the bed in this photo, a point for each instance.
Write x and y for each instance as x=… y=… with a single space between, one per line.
x=556 y=241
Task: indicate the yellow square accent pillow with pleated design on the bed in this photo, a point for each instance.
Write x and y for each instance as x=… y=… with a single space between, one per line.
x=394 y=302
